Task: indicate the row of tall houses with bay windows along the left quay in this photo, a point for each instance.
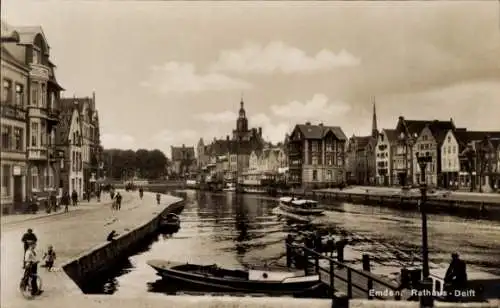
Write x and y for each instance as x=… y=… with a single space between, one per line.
x=45 y=139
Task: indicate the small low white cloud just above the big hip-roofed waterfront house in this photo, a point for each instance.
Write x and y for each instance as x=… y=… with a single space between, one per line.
x=317 y=108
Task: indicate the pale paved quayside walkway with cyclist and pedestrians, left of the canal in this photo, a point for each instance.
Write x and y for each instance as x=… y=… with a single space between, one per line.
x=71 y=235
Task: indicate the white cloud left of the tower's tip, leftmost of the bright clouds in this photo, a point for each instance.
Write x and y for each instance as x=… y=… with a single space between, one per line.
x=182 y=77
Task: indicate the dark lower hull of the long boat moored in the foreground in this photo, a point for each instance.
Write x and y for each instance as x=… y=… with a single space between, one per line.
x=209 y=282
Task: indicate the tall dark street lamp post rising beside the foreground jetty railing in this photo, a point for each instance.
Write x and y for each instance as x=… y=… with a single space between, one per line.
x=426 y=300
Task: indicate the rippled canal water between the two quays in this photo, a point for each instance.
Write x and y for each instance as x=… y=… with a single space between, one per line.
x=236 y=231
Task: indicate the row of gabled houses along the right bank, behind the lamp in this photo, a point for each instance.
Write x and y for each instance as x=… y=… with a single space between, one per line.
x=459 y=158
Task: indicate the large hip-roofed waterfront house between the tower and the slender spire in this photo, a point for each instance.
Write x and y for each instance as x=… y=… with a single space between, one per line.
x=316 y=155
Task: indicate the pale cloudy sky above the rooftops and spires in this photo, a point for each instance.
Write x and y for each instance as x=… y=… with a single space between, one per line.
x=168 y=73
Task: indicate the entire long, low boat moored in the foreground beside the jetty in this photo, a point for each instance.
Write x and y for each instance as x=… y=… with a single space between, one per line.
x=212 y=277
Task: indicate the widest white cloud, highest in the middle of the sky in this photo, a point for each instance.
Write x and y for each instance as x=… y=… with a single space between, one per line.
x=254 y=58
